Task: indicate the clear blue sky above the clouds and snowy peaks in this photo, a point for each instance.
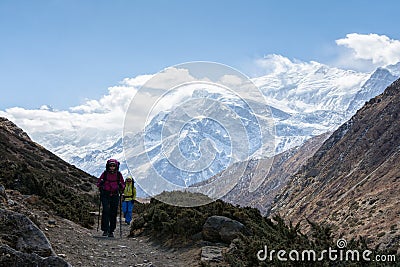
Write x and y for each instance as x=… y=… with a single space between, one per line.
x=63 y=52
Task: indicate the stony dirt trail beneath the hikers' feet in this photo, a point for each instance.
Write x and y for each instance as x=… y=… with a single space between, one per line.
x=83 y=247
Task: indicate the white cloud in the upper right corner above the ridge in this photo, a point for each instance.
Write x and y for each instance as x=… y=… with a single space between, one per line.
x=367 y=51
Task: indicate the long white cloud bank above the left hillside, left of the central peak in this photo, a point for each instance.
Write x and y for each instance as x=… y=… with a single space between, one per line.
x=105 y=115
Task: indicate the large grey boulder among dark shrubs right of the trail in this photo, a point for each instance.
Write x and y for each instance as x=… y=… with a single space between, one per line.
x=222 y=229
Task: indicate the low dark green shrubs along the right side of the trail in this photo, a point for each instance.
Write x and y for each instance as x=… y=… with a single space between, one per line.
x=182 y=226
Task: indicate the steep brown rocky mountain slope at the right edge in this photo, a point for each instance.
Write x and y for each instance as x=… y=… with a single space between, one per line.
x=353 y=180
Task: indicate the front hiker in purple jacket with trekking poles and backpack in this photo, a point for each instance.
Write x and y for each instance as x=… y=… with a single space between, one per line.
x=110 y=183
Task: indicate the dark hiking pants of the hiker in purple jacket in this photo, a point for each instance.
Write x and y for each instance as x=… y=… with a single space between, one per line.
x=110 y=211
